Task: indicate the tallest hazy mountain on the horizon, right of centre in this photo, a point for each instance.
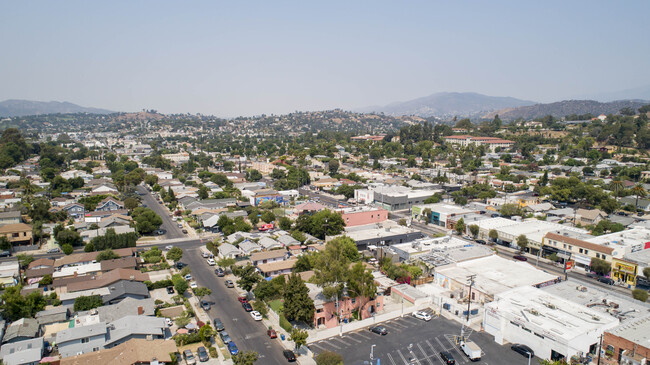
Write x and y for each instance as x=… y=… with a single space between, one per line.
x=449 y=104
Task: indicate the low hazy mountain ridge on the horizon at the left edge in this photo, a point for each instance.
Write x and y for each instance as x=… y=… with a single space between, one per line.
x=19 y=108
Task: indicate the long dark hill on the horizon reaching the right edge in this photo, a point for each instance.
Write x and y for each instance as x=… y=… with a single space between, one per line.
x=563 y=108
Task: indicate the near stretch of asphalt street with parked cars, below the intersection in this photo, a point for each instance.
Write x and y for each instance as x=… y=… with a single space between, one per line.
x=248 y=334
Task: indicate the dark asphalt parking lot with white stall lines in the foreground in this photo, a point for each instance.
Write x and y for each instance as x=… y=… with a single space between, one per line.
x=413 y=341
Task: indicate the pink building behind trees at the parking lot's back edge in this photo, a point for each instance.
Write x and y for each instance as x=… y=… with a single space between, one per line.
x=326 y=311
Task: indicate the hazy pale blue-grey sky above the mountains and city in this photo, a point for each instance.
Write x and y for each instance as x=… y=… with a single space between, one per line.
x=250 y=57
